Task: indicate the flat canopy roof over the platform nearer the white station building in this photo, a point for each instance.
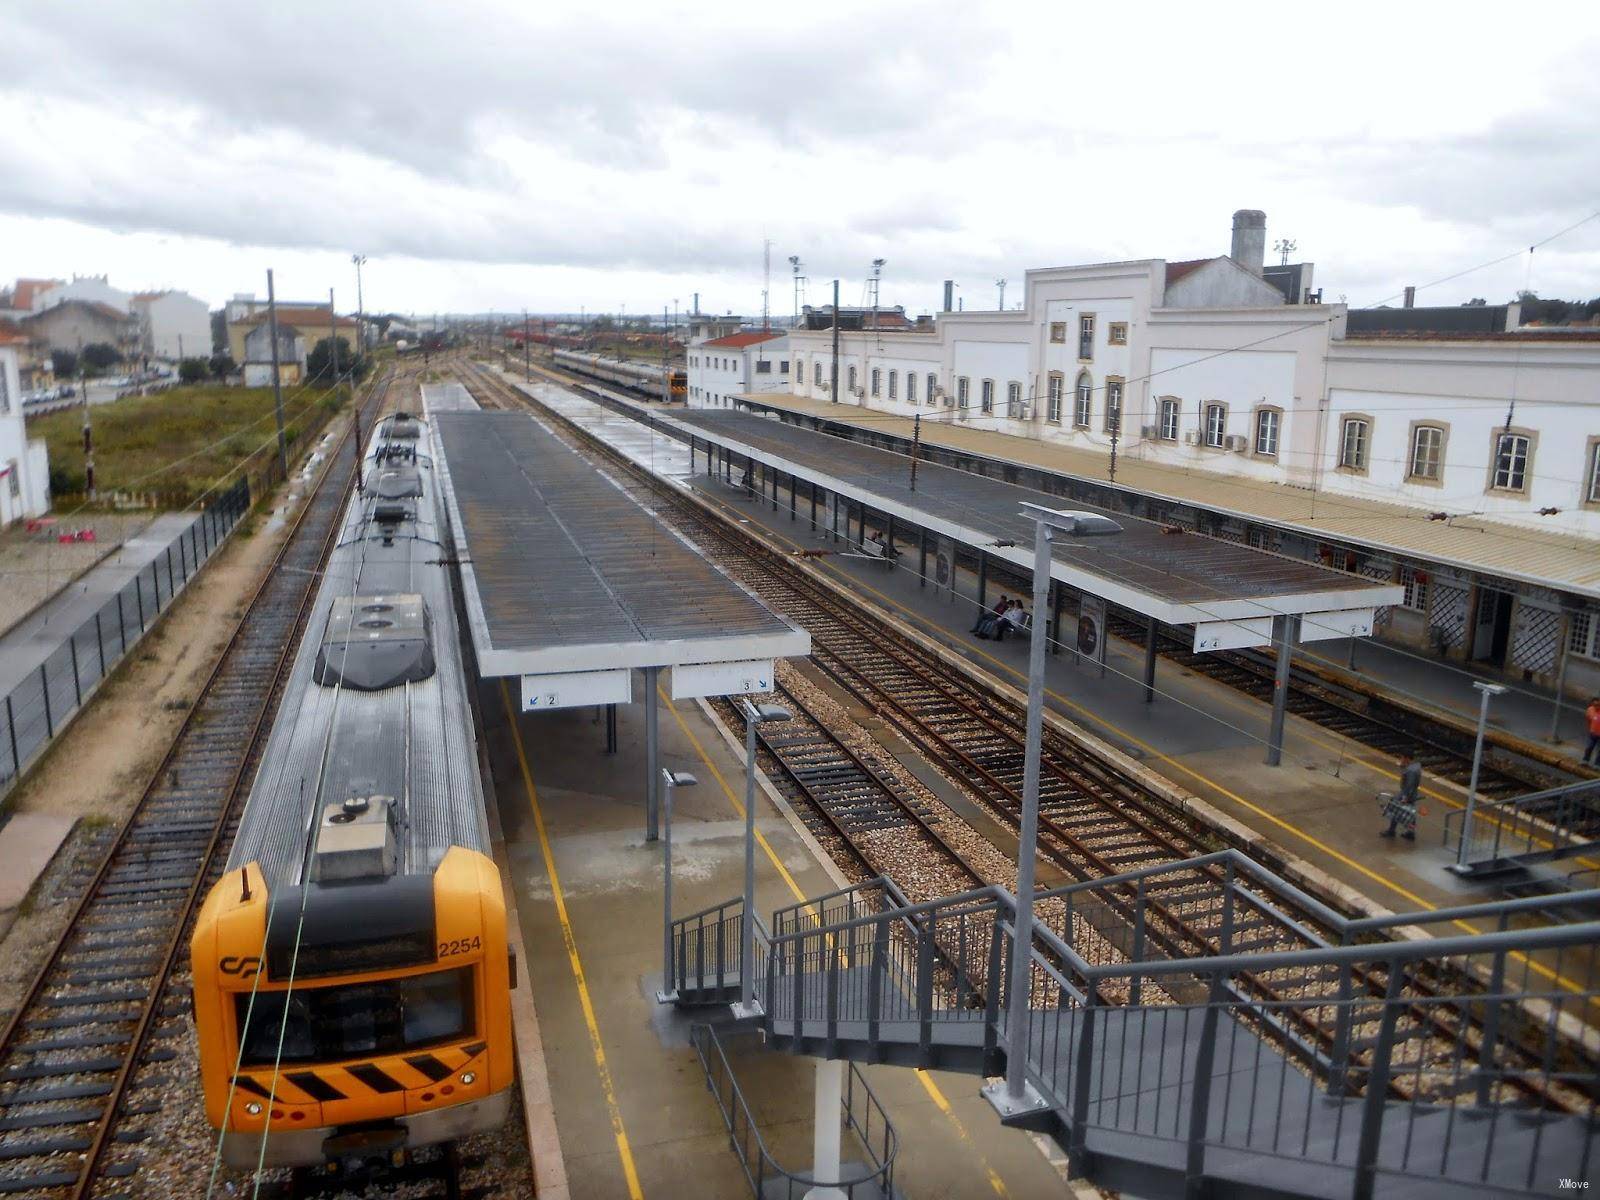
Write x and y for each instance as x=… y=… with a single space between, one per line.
x=1228 y=591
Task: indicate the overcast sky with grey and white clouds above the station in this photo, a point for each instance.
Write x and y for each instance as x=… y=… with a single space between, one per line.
x=497 y=156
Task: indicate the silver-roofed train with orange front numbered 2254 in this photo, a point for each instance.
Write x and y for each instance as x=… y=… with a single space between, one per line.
x=351 y=970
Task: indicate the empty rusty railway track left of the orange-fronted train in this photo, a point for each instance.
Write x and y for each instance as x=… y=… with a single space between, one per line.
x=81 y=1057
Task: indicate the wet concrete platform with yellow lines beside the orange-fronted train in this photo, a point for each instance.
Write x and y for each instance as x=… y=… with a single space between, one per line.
x=631 y=1103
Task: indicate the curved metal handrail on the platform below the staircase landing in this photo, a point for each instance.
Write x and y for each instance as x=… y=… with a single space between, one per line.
x=878 y=1174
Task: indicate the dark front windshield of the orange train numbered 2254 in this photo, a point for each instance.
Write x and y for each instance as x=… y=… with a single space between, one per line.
x=385 y=1017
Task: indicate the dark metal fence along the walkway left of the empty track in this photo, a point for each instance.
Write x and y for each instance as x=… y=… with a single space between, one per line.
x=36 y=710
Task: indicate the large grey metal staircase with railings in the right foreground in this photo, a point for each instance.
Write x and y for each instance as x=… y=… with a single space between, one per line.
x=1207 y=1030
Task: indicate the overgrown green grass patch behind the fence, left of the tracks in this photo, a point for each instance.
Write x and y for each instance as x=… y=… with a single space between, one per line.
x=177 y=444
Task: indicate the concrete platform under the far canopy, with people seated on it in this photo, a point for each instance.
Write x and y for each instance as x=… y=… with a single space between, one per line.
x=1201 y=735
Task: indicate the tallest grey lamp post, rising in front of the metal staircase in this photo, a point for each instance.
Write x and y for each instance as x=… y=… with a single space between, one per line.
x=1014 y=1095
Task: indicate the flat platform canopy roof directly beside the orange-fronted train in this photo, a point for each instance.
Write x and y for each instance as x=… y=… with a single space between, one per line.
x=572 y=583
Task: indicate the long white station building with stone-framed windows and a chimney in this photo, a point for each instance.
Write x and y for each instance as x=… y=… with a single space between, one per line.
x=1455 y=452
